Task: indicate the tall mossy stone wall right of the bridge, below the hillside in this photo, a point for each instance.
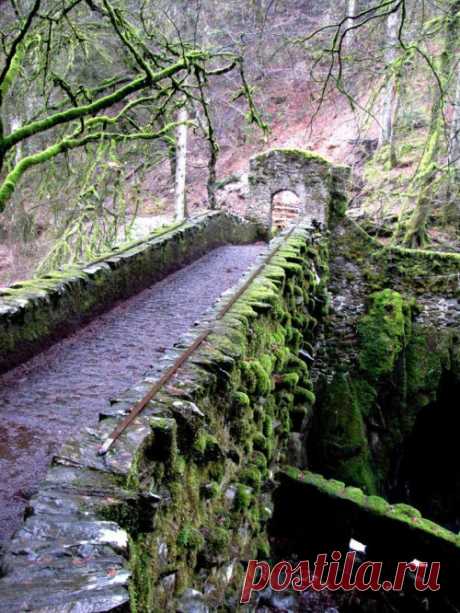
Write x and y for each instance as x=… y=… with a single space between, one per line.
x=400 y=334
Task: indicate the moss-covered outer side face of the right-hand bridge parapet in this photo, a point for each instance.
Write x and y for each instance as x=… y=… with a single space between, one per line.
x=252 y=390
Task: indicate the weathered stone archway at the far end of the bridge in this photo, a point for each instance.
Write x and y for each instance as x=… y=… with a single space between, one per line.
x=313 y=179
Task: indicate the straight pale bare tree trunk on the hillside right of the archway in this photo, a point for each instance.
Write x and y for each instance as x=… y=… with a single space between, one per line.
x=390 y=103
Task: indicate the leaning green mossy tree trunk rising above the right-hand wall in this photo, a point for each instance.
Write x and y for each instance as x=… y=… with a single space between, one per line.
x=416 y=235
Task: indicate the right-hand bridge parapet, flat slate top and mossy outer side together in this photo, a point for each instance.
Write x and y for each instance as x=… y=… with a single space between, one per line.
x=185 y=494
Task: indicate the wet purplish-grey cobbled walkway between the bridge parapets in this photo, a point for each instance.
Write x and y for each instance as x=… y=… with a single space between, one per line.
x=62 y=390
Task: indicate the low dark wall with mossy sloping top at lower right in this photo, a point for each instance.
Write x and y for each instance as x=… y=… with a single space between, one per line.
x=392 y=532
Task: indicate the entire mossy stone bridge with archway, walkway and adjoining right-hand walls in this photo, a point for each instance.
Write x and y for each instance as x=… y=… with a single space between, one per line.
x=283 y=335
